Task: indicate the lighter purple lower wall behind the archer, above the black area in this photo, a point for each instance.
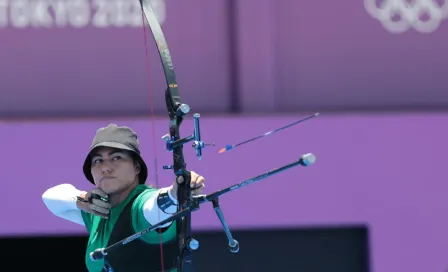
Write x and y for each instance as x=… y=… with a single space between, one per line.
x=384 y=171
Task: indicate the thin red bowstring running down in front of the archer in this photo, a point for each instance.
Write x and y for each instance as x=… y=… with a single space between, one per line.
x=153 y=131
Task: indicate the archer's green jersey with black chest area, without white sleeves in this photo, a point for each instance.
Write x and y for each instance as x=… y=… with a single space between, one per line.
x=142 y=254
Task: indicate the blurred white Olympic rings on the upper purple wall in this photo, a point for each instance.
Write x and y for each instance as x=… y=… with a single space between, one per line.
x=425 y=16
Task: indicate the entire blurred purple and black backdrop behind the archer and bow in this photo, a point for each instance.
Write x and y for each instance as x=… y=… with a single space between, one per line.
x=375 y=201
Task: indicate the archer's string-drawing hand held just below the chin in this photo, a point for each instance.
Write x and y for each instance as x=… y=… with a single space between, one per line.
x=94 y=204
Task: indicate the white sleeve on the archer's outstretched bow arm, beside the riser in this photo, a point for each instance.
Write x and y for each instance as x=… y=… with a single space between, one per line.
x=153 y=214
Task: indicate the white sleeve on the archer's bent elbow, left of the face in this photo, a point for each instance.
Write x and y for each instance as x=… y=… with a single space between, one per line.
x=61 y=201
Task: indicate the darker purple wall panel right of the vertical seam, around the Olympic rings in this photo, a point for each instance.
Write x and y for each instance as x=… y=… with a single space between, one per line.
x=315 y=56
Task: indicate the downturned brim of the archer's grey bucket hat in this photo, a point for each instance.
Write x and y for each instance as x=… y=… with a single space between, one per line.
x=143 y=175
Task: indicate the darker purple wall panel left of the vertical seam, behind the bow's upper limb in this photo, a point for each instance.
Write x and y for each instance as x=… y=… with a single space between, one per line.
x=77 y=67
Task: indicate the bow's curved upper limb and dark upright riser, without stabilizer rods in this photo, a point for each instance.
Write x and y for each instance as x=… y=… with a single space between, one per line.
x=176 y=112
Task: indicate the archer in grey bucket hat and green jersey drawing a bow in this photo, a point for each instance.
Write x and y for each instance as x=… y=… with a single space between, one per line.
x=121 y=204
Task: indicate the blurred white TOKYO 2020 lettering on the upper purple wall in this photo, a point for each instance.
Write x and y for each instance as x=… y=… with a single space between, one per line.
x=75 y=13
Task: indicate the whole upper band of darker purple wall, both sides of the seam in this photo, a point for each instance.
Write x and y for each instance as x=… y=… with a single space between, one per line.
x=297 y=54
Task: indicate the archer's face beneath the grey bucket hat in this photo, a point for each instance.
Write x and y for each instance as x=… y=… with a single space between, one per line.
x=113 y=170
